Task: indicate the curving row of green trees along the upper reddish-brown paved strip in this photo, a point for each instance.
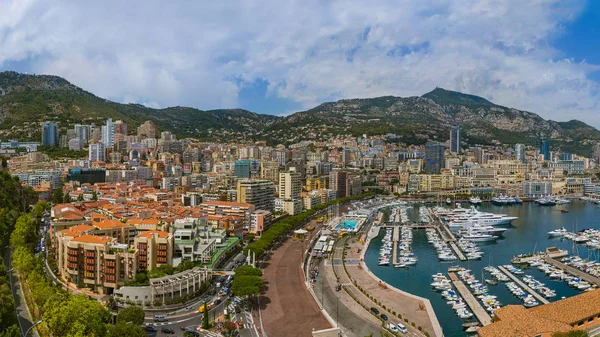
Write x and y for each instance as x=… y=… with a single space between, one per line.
x=282 y=227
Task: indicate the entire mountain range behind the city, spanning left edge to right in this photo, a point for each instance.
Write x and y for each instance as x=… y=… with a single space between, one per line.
x=28 y=100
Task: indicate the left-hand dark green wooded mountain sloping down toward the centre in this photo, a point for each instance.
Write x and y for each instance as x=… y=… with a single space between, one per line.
x=28 y=100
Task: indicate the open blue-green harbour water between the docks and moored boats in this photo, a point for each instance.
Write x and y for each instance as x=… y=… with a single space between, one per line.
x=527 y=232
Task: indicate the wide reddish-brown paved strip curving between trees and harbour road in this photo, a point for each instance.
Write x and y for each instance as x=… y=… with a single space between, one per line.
x=288 y=308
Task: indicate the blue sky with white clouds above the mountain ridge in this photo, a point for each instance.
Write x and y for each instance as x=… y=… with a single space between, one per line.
x=278 y=57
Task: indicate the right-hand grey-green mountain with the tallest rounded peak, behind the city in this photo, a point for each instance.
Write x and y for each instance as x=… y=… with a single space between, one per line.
x=417 y=120
